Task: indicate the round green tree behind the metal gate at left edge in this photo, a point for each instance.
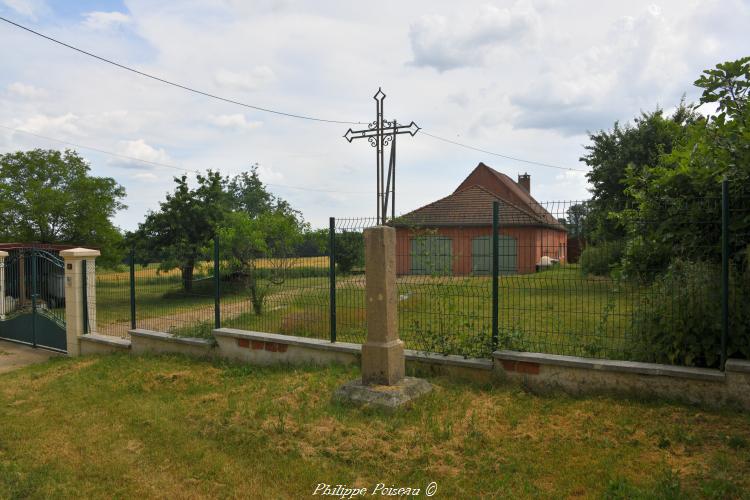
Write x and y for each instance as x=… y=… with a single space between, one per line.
x=49 y=196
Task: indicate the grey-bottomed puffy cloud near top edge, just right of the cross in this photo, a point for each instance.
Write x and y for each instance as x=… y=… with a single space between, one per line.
x=448 y=42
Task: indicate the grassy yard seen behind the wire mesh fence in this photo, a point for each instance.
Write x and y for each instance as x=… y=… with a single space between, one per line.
x=556 y=311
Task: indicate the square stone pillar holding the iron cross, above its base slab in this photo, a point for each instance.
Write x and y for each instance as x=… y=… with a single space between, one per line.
x=383 y=353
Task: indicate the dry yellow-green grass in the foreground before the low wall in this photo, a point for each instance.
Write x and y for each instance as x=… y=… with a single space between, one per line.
x=170 y=427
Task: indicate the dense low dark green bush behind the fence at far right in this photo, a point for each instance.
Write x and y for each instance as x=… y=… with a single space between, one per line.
x=679 y=320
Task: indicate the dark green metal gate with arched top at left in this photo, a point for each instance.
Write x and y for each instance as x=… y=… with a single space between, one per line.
x=34 y=305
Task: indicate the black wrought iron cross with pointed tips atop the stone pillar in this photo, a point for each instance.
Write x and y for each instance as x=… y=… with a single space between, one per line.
x=380 y=134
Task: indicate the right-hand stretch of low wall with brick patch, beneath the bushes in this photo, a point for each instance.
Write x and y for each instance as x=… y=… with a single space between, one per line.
x=580 y=376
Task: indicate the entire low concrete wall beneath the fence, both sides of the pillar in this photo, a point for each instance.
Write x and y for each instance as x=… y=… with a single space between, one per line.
x=536 y=371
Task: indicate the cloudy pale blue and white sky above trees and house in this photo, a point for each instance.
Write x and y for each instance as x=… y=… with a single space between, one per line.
x=524 y=78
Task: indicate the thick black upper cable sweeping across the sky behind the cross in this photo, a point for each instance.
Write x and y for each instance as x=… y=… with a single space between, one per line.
x=266 y=110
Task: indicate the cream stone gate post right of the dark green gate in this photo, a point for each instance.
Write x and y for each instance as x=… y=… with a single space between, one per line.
x=75 y=259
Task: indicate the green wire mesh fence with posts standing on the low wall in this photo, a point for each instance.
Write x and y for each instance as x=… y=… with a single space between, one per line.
x=560 y=278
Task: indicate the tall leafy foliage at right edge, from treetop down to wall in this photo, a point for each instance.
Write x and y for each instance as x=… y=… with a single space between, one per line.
x=674 y=230
